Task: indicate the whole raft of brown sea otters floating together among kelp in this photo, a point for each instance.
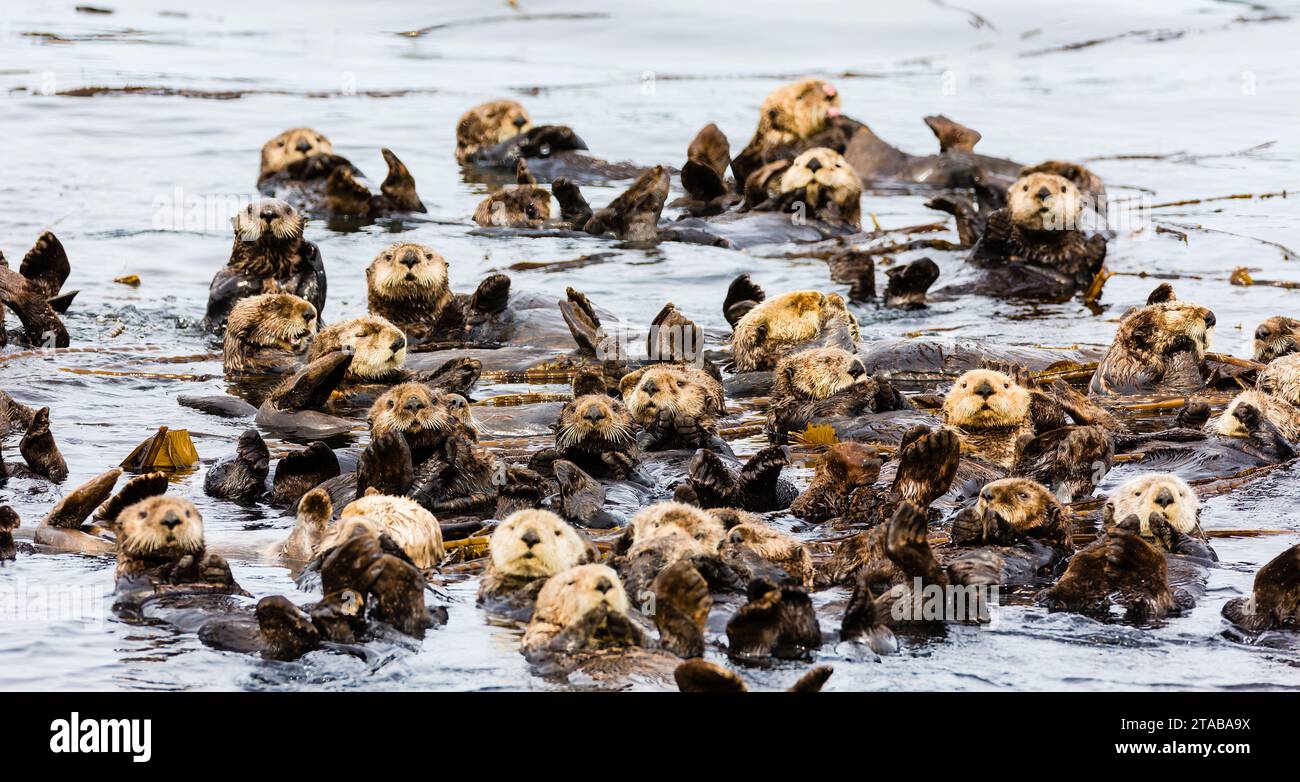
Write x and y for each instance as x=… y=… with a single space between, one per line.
x=639 y=540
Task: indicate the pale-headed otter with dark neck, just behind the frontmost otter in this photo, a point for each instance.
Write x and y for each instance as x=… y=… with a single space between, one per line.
x=526 y=550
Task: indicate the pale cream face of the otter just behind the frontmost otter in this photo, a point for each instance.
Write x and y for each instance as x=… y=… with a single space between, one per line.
x=536 y=544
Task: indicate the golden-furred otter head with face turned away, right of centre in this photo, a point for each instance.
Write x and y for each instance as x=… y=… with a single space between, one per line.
x=785 y=323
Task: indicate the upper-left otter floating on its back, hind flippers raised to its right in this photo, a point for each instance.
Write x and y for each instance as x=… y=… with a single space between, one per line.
x=300 y=166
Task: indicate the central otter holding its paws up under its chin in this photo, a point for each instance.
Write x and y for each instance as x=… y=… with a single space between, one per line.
x=678 y=406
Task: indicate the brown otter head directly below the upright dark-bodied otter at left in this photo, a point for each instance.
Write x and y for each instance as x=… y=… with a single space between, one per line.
x=268 y=334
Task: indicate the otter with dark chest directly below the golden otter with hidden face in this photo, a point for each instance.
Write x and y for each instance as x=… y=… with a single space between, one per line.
x=825 y=384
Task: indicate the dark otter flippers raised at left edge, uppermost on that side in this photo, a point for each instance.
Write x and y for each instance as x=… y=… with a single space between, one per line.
x=36 y=294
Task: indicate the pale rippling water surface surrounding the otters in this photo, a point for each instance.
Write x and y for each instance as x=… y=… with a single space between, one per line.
x=1168 y=101
